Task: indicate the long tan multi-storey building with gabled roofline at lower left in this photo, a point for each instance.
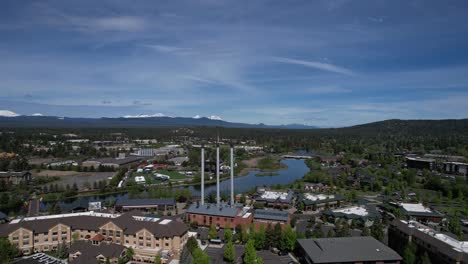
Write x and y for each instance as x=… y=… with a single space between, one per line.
x=148 y=236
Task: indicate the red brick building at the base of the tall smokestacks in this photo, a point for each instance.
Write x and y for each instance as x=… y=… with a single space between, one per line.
x=221 y=216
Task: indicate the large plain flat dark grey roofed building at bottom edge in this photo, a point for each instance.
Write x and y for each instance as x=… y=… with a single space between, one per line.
x=345 y=250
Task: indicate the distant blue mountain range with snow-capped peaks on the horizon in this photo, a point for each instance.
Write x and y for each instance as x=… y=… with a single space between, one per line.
x=12 y=121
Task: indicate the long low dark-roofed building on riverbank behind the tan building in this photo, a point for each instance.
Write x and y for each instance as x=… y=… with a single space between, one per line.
x=162 y=205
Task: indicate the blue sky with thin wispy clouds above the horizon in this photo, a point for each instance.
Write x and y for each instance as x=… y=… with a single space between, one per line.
x=326 y=63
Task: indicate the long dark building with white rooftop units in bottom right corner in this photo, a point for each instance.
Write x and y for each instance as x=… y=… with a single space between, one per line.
x=441 y=248
